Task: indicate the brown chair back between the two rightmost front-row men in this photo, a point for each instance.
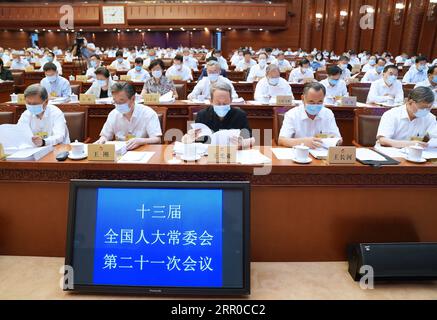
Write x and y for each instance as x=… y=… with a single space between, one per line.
x=366 y=123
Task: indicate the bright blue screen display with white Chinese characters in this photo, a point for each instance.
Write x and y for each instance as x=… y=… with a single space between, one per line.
x=158 y=237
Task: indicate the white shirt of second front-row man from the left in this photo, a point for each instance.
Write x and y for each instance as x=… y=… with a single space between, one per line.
x=143 y=124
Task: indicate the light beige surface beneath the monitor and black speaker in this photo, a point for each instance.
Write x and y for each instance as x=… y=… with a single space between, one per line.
x=38 y=278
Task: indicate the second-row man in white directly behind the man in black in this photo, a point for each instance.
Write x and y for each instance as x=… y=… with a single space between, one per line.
x=203 y=87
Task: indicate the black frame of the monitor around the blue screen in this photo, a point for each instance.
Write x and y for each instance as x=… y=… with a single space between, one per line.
x=165 y=291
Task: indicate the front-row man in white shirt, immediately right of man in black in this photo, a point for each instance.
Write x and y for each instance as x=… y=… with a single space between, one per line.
x=309 y=123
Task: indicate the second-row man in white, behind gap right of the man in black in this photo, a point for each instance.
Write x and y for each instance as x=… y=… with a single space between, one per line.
x=272 y=85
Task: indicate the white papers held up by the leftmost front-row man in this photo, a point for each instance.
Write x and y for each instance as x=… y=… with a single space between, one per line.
x=15 y=137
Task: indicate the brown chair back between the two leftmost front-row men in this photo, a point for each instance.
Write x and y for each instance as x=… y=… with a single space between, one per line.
x=77 y=122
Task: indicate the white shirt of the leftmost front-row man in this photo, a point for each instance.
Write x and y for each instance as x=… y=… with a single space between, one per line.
x=52 y=123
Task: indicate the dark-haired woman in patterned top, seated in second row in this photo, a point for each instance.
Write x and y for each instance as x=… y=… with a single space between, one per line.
x=158 y=83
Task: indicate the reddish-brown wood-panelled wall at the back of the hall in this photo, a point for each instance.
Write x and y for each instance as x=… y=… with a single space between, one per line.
x=412 y=33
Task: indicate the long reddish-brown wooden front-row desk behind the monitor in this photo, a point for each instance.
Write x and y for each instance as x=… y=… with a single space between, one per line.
x=298 y=213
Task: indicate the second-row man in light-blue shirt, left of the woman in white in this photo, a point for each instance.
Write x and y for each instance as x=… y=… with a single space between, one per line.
x=55 y=85
